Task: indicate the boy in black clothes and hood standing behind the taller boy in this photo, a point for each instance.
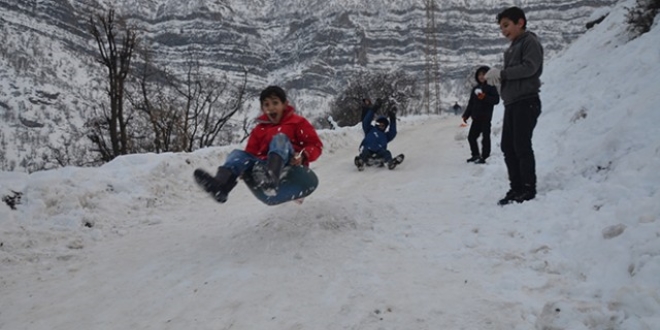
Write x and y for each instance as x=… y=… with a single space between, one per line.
x=480 y=108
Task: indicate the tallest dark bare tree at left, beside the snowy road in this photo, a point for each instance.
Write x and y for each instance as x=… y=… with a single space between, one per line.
x=115 y=54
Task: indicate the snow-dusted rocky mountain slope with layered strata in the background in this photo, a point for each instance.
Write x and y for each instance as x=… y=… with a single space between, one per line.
x=49 y=81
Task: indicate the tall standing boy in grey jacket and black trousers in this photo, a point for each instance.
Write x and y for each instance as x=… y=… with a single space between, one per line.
x=520 y=87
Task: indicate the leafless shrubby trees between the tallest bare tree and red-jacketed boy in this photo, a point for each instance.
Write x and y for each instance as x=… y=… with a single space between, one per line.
x=183 y=114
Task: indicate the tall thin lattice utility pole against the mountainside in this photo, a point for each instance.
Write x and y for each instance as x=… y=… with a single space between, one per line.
x=432 y=68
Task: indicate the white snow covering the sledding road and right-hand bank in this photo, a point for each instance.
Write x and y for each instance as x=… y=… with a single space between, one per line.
x=135 y=244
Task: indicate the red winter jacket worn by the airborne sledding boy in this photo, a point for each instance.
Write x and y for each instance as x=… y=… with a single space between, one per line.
x=300 y=132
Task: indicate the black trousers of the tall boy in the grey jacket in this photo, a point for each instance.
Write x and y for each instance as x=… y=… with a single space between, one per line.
x=519 y=122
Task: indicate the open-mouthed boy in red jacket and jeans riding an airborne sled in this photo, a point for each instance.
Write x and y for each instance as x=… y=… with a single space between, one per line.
x=281 y=138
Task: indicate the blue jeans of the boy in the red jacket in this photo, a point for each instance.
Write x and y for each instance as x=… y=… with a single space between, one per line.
x=239 y=161
